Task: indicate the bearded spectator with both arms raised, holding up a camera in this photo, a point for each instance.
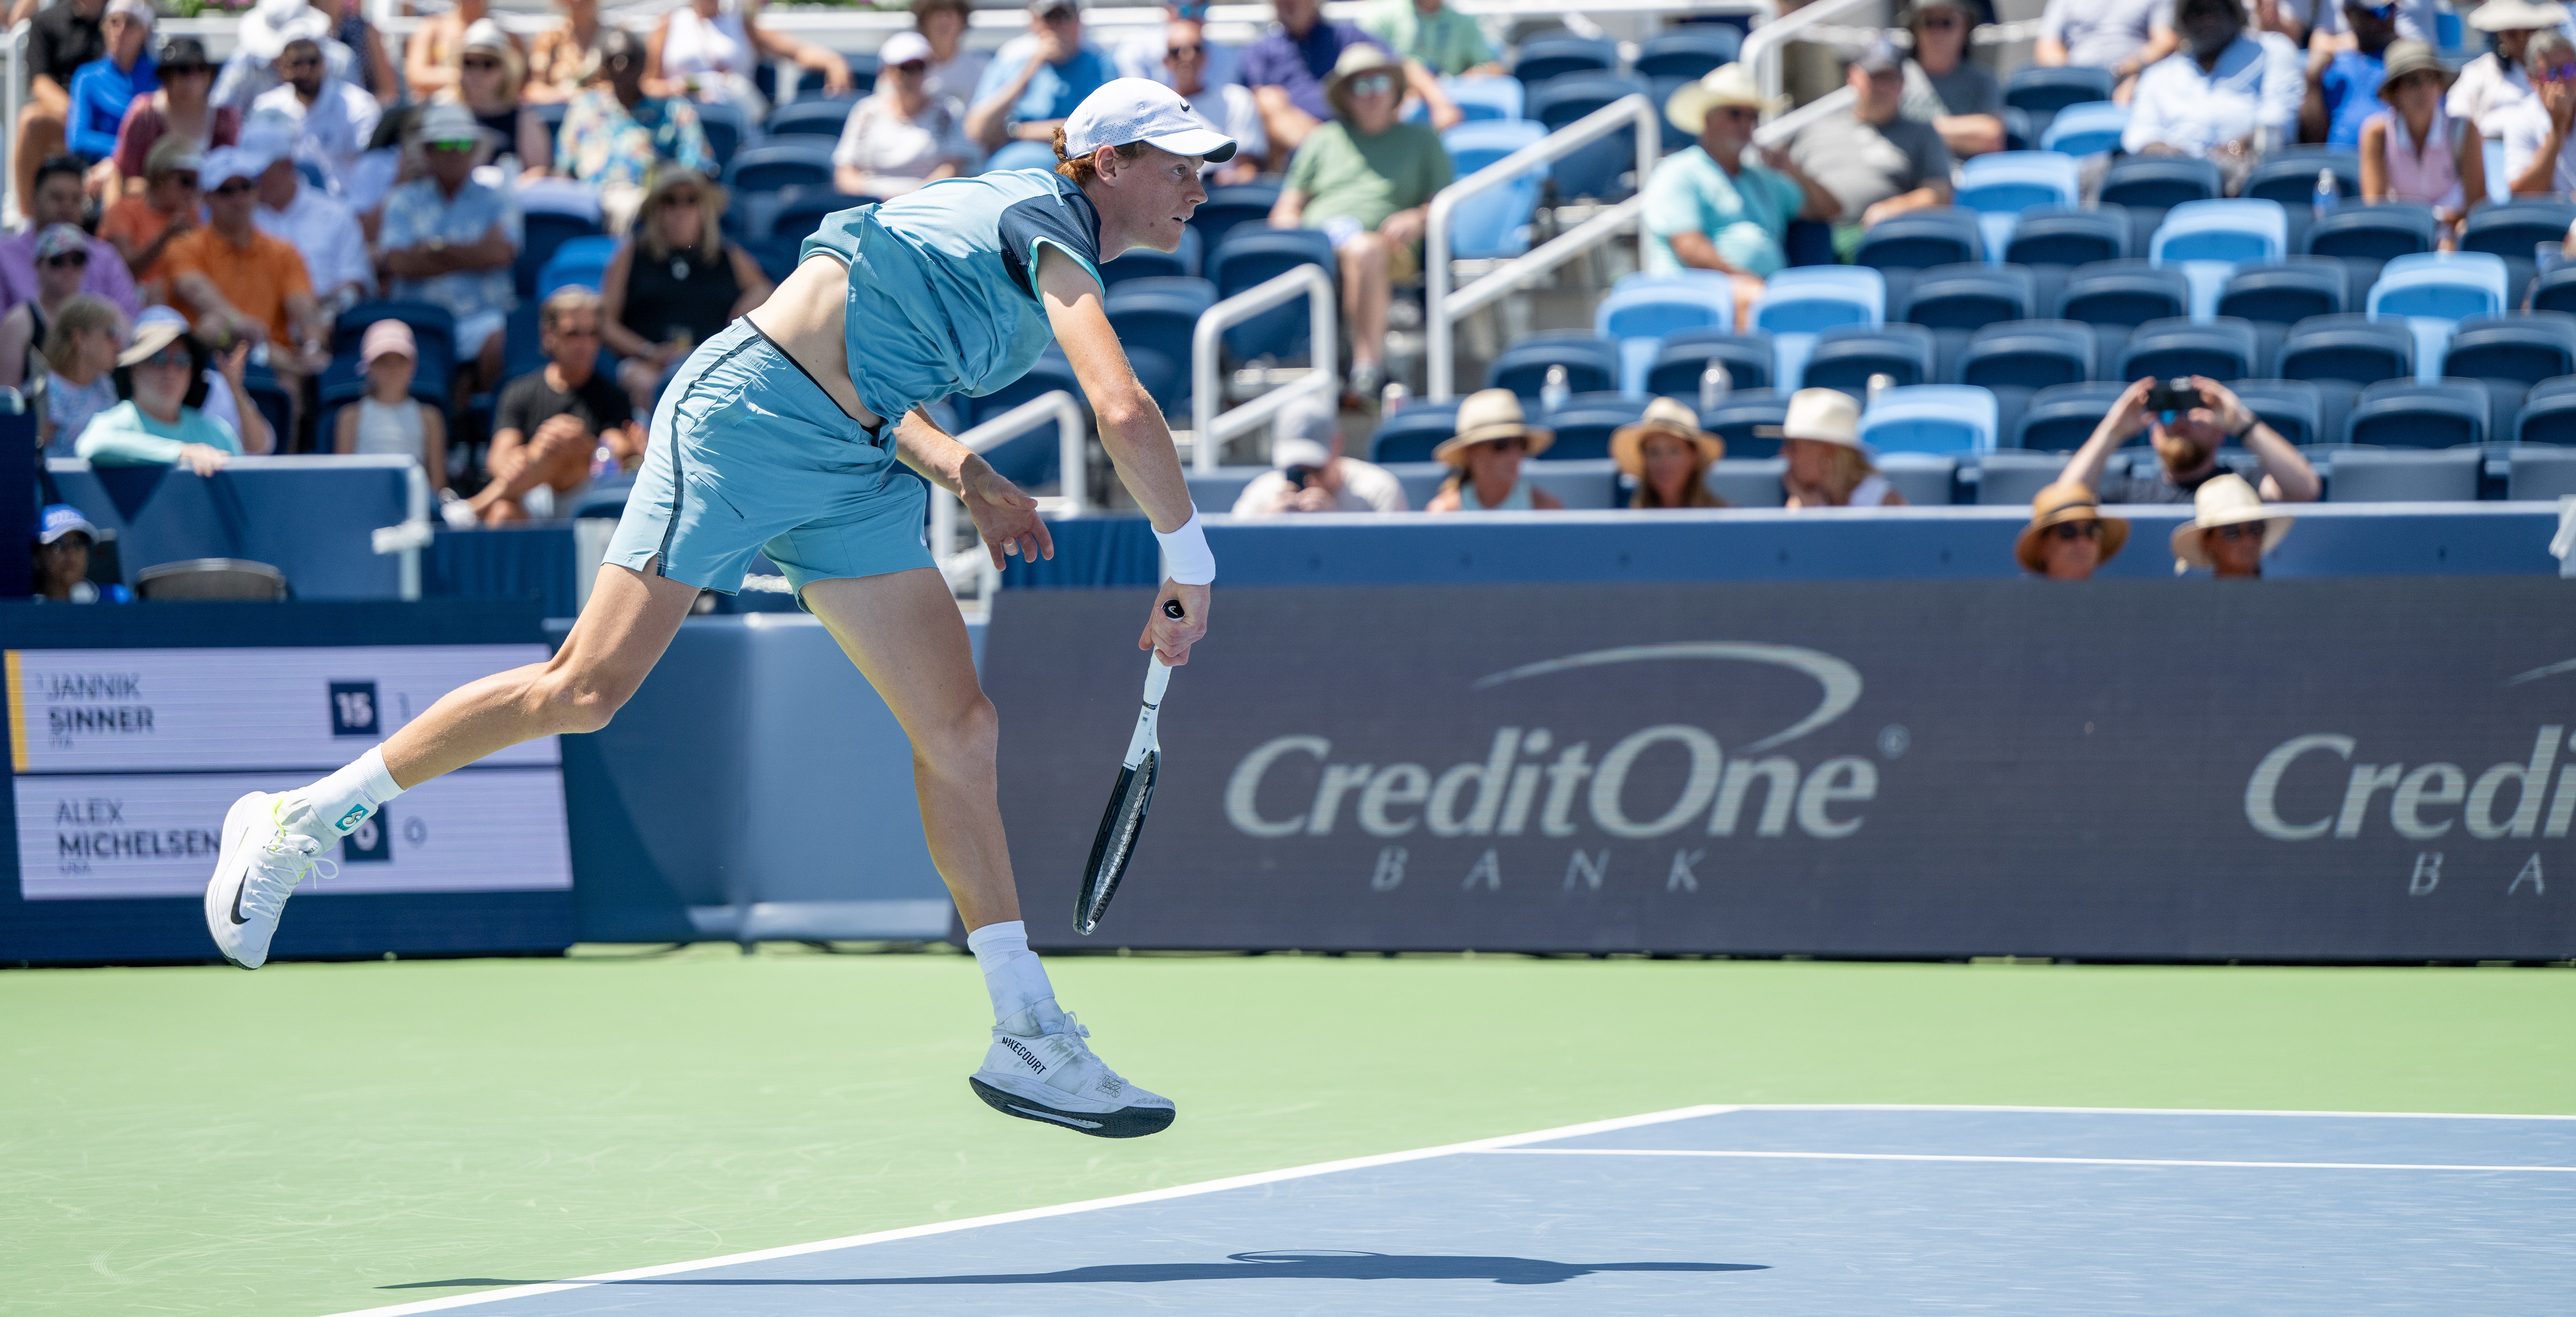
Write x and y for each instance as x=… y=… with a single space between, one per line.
x=2188 y=450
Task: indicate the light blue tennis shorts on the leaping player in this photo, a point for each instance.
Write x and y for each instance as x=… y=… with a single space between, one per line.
x=748 y=455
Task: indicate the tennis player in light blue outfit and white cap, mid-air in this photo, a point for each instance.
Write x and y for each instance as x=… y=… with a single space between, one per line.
x=782 y=434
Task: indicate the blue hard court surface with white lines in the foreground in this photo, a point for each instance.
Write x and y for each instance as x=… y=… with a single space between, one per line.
x=1745 y=1213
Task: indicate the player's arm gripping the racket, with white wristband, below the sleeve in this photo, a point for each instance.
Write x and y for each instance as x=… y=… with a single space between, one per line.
x=1137 y=439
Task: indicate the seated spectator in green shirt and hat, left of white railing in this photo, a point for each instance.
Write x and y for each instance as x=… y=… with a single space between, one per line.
x=1367 y=179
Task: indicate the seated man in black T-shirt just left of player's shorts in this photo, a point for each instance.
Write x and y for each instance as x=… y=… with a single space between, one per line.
x=553 y=424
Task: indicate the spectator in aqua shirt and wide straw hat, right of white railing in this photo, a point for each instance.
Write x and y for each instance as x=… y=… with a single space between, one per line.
x=1712 y=210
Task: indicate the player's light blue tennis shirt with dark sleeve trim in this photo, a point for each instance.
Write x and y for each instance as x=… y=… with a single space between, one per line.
x=944 y=282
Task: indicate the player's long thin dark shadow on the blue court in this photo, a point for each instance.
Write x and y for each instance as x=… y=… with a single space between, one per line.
x=1238 y=1267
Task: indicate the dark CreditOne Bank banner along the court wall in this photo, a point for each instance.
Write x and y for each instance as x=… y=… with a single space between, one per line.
x=2317 y=769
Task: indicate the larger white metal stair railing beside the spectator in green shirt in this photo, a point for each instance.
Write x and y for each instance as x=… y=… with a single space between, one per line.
x=1444 y=308
